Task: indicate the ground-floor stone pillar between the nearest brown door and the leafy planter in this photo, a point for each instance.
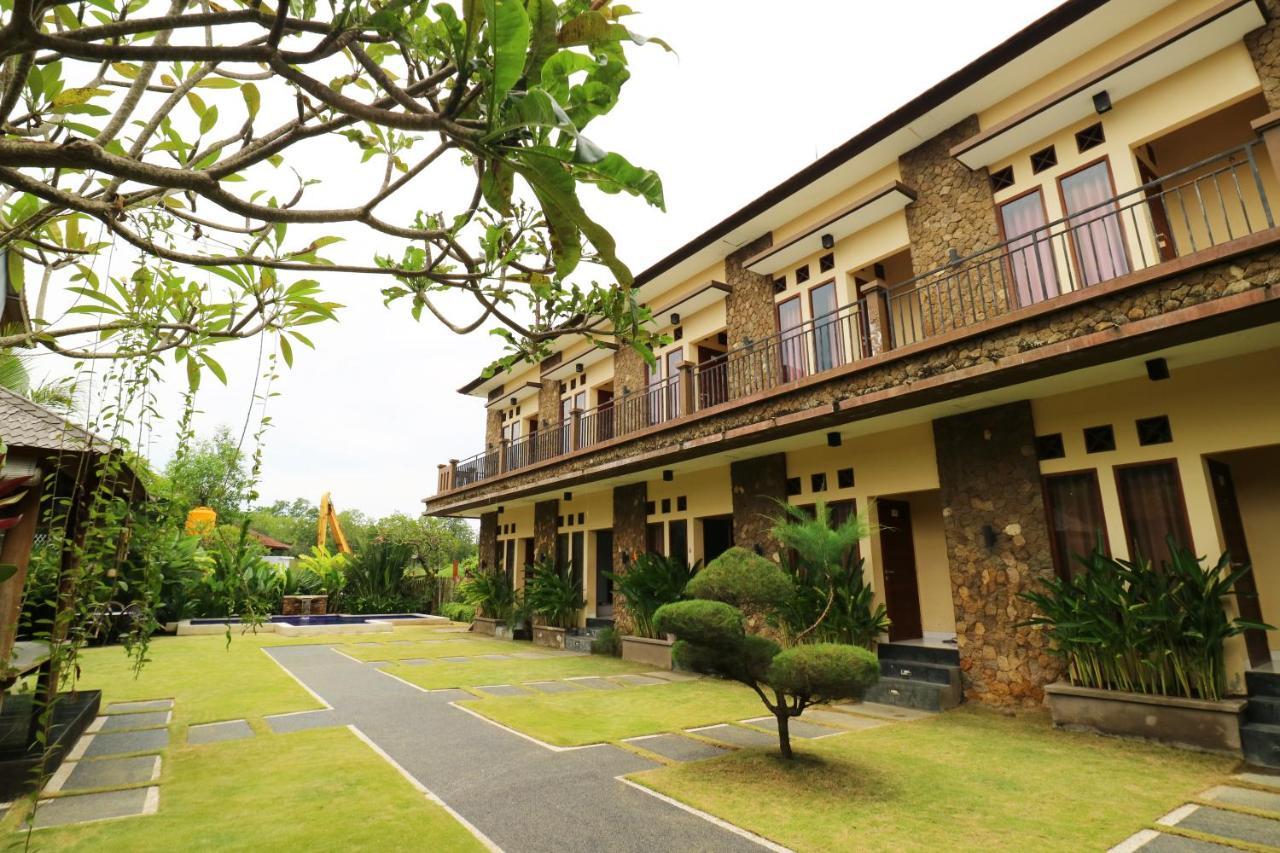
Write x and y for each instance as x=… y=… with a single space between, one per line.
x=991 y=492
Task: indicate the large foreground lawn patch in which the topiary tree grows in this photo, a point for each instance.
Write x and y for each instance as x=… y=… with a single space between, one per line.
x=968 y=779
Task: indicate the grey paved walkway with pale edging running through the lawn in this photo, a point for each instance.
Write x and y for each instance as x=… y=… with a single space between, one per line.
x=523 y=796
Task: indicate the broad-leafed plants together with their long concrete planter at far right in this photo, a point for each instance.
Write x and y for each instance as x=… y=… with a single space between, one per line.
x=1144 y=649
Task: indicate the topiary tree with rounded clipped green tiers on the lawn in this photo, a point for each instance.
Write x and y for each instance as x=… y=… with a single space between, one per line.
x=712 y=638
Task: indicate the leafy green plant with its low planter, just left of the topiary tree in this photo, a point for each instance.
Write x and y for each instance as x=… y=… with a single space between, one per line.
x=651 y=582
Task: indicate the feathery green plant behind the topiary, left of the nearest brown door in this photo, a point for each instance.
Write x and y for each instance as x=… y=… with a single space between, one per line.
x=834 y=603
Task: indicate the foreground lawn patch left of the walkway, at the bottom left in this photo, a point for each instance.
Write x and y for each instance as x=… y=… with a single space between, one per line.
x=263 y=793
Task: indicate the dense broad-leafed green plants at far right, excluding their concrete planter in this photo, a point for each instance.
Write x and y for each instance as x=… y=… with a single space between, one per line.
x=1126 y=626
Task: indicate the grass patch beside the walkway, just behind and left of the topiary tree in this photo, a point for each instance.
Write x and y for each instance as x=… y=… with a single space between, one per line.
x=598 y=717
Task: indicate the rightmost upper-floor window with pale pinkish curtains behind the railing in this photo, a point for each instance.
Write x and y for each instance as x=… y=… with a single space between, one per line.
x=1094 y=225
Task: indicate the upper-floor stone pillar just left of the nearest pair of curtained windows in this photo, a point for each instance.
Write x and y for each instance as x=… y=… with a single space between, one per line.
x=954 y=215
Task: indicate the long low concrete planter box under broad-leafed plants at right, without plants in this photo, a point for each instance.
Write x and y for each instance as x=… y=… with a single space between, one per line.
x=1196 y=724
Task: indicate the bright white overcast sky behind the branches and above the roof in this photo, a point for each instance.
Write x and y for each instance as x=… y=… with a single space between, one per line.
x=757 y=92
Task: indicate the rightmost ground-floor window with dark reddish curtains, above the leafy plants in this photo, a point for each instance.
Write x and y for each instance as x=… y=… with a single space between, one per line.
x=1153 y=509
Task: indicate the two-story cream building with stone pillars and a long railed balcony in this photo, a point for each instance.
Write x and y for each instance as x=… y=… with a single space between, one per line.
x=1040 y=302
